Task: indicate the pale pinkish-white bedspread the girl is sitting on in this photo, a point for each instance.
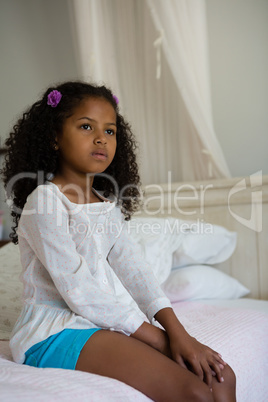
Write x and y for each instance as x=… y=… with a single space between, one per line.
x=239 y=334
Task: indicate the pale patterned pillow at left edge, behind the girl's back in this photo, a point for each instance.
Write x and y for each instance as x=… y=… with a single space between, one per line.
x=10 y=288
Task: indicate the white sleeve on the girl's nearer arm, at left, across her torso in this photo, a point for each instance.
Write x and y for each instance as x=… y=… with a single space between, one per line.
x=45 y=226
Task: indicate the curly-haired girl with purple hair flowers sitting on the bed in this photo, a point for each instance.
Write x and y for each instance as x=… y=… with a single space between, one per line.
x=72 y=174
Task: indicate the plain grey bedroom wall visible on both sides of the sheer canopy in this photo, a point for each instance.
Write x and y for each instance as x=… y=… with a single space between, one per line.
x=37 y=49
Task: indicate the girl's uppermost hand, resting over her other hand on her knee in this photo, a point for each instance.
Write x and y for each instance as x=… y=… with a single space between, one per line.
x=199 y=358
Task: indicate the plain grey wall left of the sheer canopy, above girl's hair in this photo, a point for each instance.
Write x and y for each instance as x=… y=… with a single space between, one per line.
x=36 y=50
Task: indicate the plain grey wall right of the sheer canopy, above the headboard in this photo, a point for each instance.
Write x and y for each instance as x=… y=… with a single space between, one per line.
x=238 y=37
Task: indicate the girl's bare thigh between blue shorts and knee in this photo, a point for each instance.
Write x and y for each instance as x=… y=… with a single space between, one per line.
x=133 y=362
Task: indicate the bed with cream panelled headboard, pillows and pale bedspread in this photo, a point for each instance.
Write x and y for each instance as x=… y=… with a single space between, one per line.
x=208 y=245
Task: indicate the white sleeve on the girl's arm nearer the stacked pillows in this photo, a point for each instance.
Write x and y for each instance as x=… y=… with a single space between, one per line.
x=136 y=275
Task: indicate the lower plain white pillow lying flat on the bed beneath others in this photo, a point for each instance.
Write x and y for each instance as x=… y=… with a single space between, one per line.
x=202 y=282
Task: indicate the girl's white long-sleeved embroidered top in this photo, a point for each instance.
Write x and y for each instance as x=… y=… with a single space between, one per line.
x=68 y=252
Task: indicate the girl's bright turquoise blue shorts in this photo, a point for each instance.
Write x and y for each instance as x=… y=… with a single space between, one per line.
x=60 y=350
